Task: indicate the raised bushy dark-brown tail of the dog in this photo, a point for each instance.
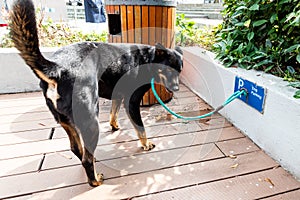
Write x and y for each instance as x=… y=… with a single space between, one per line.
x=25 y=37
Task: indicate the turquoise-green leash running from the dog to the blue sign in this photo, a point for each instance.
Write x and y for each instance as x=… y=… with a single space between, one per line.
x=230 y=99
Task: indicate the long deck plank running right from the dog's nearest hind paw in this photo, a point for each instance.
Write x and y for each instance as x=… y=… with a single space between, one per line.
x=164 y=179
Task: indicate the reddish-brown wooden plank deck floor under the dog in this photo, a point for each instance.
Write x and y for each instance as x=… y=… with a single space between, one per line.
x=206 y=159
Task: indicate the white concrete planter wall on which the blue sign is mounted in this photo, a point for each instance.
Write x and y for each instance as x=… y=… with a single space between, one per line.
x=276 y=131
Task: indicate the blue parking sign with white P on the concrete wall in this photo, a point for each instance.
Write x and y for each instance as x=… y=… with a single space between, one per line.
x=255 y=93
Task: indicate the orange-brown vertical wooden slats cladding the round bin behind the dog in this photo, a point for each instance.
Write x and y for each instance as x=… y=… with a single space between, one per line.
x=146 y=25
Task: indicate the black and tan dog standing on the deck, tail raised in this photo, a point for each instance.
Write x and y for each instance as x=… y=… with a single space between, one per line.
x=76 y=76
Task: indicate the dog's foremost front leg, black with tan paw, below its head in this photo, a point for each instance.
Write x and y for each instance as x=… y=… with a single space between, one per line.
x=132 y=107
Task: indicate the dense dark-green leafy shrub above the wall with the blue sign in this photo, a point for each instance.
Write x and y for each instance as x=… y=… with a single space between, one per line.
x=261 y=35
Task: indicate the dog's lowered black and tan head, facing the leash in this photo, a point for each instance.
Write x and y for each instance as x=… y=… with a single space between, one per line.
x=169 y=66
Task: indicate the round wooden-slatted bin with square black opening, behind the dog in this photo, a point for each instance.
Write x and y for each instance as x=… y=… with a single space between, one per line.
x=144 y=22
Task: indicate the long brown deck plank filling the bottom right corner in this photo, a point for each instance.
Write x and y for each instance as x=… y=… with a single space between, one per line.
x=253 y=186
